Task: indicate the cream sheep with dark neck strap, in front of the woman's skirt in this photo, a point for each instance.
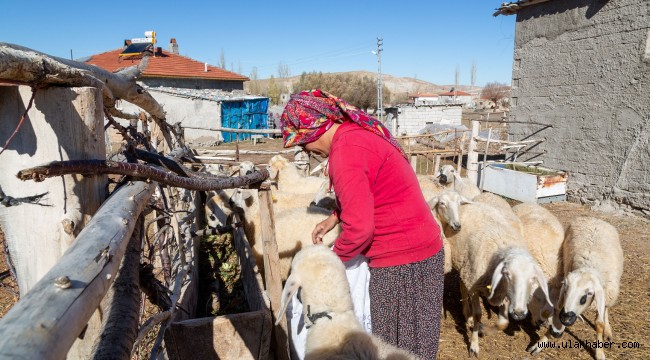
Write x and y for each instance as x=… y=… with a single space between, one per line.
x=333 y=331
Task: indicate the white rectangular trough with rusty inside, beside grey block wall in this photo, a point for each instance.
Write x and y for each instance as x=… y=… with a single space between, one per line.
x=525 y=183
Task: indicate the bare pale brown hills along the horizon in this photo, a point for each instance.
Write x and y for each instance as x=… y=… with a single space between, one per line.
x=398 y=86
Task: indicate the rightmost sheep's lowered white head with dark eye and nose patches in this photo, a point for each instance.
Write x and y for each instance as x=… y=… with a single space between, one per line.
x=579 y=289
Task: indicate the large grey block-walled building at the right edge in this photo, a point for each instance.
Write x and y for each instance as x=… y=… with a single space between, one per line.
x=583 y=67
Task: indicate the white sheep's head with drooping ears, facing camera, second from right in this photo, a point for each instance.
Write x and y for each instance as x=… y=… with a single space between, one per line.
x=520 y=274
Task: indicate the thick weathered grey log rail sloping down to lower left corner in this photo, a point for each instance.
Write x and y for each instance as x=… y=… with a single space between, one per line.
x=48 y=319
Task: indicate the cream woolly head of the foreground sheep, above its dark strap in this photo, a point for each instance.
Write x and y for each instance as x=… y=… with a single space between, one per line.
x=320 y=274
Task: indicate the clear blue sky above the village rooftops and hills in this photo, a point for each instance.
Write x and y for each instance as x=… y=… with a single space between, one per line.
x=423 y=39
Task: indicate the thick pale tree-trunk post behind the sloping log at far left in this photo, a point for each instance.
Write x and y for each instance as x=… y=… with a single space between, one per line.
x=62 y=124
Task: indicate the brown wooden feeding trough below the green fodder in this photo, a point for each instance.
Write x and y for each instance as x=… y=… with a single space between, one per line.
x=235 y=336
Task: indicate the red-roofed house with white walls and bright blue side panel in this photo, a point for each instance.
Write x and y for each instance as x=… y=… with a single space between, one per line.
x=193 y=93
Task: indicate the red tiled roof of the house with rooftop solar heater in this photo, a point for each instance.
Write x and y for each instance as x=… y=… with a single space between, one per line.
x=164 y=64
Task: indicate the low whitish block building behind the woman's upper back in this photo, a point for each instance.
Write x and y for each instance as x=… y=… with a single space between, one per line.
x=409 y=119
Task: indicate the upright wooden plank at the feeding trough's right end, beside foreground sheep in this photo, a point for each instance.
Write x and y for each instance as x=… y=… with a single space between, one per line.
x=272 y=270
